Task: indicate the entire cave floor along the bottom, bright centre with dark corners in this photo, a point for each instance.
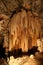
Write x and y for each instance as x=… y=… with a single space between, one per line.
x=25 y=60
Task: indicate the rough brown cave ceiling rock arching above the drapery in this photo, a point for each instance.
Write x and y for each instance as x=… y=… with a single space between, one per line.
x=9 y=7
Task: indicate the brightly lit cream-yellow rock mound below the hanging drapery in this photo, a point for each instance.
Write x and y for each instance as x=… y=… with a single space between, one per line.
x=26 y=60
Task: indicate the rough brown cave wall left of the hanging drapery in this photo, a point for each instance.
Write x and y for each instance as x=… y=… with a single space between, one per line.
x=4 y=31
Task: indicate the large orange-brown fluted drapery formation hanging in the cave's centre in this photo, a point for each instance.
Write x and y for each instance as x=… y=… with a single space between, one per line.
x=24 y=28
